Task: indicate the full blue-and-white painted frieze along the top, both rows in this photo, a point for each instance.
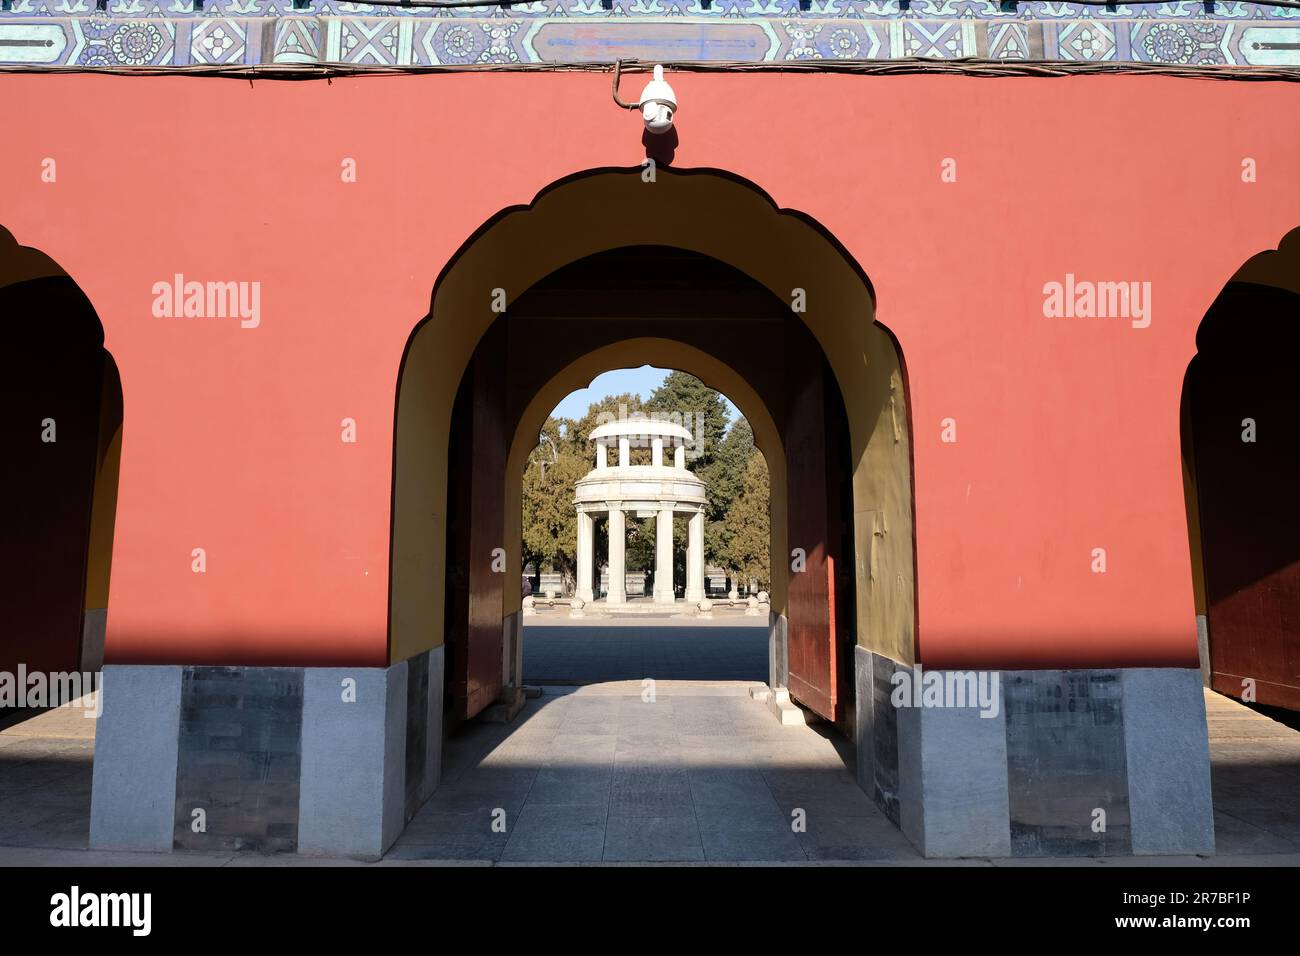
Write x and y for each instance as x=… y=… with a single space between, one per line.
x=171 y=33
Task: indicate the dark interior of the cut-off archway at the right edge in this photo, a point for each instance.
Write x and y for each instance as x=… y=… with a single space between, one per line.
x=1249 y=492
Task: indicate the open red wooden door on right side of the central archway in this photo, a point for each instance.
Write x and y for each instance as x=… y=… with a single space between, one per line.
x=813 y=434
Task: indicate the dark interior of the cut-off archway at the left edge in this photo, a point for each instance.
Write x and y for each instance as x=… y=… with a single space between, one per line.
x=63 y=408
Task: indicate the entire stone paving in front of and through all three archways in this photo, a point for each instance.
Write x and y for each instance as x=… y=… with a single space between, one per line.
x=703 y=776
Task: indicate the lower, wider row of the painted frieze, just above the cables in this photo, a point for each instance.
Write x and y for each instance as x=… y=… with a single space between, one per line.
x=114 y=42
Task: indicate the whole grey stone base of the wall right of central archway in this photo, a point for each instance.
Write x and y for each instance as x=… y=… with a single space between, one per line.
x=1073 y=763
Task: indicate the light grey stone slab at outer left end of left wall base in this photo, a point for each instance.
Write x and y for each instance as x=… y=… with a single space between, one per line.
x=133 y=790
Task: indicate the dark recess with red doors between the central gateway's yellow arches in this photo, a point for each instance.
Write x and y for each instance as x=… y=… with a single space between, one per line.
x=668 y=293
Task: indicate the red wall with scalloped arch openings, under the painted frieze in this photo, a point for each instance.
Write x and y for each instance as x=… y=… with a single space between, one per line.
x=1068 y=429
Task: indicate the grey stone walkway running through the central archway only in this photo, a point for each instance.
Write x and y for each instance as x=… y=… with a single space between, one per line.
x=701 y=773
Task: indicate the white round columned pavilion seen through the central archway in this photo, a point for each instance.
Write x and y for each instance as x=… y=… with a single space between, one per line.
x=645 y=491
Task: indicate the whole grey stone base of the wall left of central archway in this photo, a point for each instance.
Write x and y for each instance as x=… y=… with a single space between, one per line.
x=330 y=762
